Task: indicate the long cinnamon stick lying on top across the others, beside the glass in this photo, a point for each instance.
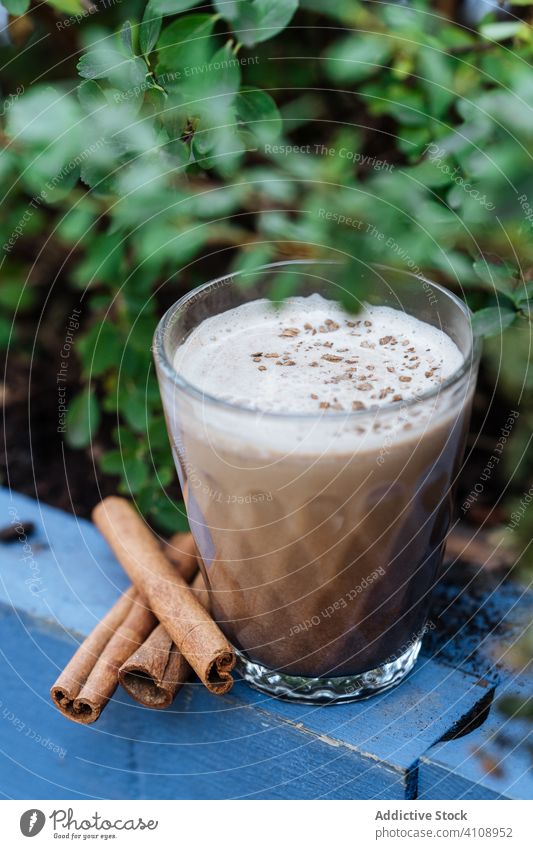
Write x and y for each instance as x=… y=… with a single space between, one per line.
x=191 y=628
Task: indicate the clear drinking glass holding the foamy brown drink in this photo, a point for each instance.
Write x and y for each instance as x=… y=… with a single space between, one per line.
x=320 y=534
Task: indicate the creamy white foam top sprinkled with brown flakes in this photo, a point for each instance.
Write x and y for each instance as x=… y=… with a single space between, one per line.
x=309 y=355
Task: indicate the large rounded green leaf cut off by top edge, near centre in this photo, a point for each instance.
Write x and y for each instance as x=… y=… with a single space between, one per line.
x=257 y=20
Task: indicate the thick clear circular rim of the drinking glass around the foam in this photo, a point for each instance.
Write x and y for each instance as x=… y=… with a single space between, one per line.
x=333 y=415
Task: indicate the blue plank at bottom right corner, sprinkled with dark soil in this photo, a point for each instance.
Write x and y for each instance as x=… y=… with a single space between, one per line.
x=494 y=761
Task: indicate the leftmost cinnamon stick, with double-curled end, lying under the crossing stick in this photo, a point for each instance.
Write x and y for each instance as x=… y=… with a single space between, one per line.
x=91 y=677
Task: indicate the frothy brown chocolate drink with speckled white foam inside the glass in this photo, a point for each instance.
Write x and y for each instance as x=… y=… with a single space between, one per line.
x=321 y=509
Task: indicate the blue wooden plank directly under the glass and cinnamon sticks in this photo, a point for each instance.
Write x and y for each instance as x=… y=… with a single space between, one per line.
x=243 y=745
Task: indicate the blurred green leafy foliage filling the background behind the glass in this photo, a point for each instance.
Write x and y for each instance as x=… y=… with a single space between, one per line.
x=147 y=147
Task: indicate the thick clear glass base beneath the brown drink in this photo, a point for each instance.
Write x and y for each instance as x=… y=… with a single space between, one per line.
x=347 y=688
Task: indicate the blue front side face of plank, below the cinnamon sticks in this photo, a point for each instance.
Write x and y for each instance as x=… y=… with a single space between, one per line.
x=205 y=747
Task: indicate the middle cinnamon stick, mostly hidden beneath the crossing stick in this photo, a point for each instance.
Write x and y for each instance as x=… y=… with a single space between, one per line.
x=157 y=670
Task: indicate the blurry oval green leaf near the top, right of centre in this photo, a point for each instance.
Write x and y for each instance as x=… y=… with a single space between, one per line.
x=357 y=56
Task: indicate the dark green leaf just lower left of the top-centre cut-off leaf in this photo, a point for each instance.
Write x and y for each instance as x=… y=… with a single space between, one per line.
x=184 y=46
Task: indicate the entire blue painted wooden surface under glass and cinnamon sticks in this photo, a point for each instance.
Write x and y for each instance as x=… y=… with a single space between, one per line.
x=427 y=739
